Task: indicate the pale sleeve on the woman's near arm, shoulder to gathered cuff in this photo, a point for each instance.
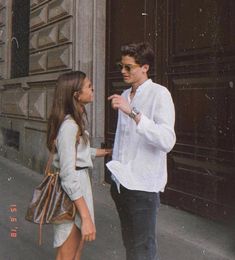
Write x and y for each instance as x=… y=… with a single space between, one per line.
x=66 y=141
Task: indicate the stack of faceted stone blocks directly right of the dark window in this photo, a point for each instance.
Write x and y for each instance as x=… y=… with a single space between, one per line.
x=48 y=36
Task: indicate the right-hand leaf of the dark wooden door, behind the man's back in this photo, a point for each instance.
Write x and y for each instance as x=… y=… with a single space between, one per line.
x=200 y=73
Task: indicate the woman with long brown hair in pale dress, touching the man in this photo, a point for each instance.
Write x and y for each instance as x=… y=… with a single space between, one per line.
x=69 y=139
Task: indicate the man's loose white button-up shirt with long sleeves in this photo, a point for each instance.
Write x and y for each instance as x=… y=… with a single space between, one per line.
x=139 y=160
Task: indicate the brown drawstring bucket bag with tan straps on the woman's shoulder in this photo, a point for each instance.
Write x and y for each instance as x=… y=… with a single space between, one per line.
x=50 y=204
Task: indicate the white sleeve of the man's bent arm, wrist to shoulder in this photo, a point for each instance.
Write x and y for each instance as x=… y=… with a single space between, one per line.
x=160 y=131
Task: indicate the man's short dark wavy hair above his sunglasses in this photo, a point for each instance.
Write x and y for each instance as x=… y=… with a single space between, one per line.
x=142 y=52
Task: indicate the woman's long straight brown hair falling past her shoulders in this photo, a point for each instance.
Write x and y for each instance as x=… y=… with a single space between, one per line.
x=65 y=103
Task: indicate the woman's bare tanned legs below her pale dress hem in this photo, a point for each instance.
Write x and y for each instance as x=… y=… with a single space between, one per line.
x=69 y=249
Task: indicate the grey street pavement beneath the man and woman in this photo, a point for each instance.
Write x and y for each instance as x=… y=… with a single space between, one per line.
x=180 y=235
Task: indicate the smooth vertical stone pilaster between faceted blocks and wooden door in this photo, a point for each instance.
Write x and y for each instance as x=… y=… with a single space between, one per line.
x=90 y=58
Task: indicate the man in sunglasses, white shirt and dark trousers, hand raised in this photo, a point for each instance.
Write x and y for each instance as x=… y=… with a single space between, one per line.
x=144 y=136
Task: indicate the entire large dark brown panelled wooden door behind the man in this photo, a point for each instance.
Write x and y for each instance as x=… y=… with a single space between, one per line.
x=195 y=58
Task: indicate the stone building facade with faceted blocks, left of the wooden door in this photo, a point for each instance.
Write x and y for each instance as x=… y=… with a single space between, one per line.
x=62 y=35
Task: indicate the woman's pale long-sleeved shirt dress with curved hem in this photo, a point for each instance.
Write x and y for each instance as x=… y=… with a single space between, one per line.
x=76 y=183
